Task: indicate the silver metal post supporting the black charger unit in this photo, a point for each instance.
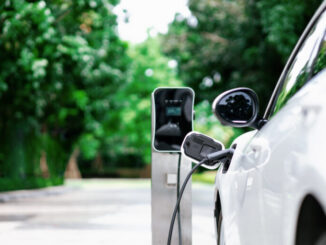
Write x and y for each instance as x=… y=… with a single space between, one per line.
x=164 y=197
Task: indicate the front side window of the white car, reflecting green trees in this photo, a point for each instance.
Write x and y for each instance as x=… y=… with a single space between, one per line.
x=301 y=67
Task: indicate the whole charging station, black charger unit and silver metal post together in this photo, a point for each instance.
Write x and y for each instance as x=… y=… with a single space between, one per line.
x=172 y=120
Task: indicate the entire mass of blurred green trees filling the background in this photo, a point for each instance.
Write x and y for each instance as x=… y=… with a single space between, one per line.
x=68 y=83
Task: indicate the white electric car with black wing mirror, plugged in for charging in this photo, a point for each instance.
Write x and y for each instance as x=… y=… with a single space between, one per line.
x=273 y=191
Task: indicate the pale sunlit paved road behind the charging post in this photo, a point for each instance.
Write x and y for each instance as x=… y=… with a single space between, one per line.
x=94 y=212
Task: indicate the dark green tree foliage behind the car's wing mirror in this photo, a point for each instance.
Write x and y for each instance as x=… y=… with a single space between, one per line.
x=227 y=44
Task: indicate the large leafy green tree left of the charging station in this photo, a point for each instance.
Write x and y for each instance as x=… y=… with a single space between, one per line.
x=62 y=62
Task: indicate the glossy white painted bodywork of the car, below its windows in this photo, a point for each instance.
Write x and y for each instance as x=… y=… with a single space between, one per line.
x=273 y=169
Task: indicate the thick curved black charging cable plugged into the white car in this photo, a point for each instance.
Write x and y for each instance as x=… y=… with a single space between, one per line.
x=210 y=159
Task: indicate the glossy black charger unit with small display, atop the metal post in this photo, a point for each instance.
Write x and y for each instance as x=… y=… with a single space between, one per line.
x=174 y=114
